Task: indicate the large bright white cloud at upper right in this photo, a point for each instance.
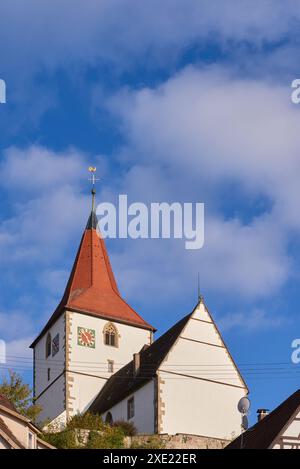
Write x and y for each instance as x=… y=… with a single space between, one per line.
x=218 y=125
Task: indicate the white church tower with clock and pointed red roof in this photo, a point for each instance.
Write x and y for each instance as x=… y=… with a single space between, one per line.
x=92 y=333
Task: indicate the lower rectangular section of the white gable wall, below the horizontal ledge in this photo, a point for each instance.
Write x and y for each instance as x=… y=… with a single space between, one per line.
x=199 y=407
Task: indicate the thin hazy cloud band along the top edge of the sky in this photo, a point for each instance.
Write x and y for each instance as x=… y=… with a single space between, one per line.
x=125 y=29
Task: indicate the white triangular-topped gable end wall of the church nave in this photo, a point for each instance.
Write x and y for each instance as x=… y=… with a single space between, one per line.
x=199 y=387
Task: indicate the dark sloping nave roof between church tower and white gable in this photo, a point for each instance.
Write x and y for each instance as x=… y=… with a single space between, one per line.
x=125 y=381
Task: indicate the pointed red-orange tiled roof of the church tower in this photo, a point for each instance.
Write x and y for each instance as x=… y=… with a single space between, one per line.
x=92 y=288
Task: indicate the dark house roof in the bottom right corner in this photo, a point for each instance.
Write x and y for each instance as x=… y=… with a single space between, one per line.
x=264 y=432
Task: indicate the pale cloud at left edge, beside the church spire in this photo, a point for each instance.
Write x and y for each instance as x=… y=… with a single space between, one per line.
x=48 y=207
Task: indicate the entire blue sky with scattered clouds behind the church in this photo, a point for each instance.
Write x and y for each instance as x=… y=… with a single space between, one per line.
x=172 y=101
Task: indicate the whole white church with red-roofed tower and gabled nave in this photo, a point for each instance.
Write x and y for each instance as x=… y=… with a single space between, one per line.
x=97 y=354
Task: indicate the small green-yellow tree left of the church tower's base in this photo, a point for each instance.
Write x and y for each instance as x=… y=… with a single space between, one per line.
x=20 y=395
